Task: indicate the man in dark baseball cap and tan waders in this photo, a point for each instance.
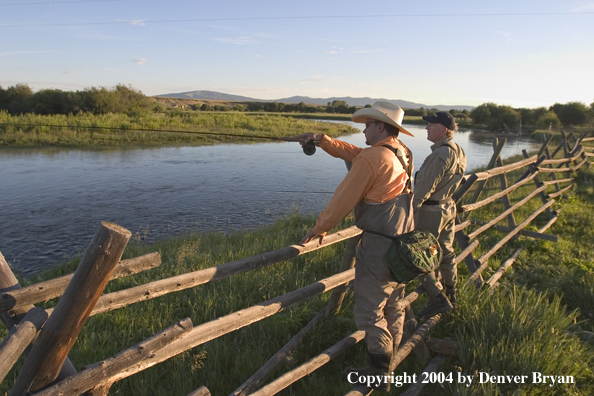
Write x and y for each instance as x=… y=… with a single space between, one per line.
x=434 y=208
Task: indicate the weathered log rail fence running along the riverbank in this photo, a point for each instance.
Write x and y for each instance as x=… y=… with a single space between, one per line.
x=46 y=336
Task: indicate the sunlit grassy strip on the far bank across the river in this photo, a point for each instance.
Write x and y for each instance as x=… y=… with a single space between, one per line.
x=122 y=134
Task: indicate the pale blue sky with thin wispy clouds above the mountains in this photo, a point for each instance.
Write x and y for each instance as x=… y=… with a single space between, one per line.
x=519 y=53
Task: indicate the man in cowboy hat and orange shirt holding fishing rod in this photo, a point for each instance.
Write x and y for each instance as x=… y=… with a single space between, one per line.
x=377 y=187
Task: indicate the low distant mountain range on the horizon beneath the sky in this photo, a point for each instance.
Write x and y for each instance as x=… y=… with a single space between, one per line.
x=211 y=95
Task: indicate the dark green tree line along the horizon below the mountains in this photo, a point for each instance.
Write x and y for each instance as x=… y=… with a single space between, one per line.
x=20 y=99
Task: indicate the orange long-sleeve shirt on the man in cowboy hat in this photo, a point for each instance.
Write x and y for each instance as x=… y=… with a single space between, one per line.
x=375 y=177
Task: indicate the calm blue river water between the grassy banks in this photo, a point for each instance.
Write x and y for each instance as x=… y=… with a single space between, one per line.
x=52 y=200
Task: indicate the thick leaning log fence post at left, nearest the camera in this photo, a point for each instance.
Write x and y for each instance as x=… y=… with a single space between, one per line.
x=64 y=324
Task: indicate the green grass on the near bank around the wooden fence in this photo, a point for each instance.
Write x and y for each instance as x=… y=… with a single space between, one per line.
x=540 y=318
